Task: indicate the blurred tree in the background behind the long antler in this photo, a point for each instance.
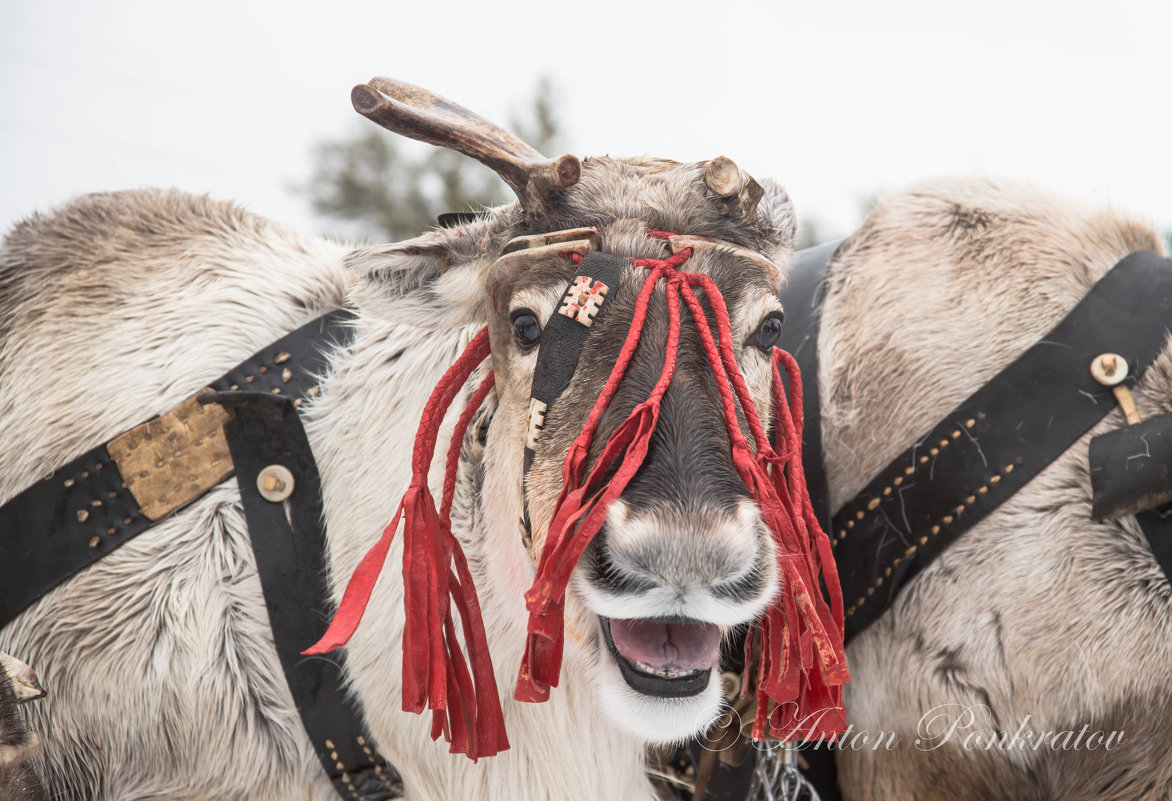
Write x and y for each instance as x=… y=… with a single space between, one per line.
x=381 y=189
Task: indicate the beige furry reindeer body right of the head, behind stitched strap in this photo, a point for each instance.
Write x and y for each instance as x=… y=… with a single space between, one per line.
x=1038 y=610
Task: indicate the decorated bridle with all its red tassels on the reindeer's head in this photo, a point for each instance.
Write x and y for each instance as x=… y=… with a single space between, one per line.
x=801 y=666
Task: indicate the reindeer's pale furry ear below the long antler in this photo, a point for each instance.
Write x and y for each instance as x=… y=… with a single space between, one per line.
x=440 y=275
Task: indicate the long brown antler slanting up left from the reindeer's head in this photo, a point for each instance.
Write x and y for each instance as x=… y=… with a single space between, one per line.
x=424 y=116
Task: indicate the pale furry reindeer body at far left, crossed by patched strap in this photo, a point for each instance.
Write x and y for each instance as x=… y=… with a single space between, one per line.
x=196 y=281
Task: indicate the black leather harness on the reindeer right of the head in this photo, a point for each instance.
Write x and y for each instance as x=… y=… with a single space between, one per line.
x=987 y=449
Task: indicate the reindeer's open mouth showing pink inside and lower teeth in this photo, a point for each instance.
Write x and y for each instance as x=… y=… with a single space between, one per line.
x=664 y=657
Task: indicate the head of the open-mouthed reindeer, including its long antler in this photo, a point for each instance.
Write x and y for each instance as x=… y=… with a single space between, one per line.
x=679 y=553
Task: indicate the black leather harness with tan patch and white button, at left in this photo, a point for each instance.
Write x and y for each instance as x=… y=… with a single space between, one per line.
x=248 y=423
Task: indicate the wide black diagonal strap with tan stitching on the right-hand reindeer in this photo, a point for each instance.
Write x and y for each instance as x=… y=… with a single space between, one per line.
x=997 y=440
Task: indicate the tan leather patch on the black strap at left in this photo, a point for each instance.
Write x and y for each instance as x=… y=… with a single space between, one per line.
x=174 y=459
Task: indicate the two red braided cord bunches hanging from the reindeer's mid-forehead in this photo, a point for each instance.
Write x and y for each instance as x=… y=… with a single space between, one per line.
x=794 y=634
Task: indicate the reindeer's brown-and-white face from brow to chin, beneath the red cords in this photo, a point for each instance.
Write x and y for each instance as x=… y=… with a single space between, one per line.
x=684 y=555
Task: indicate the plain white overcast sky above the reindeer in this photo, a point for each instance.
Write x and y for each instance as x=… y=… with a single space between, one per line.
x=836 y=100
